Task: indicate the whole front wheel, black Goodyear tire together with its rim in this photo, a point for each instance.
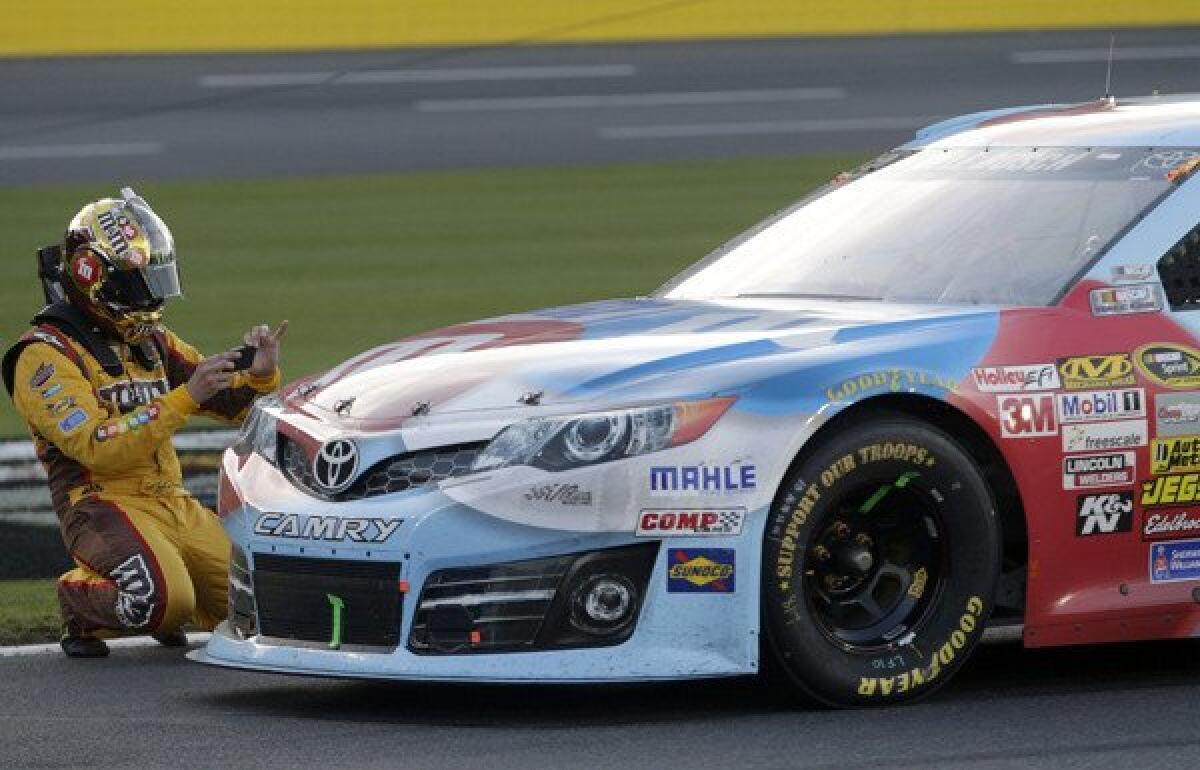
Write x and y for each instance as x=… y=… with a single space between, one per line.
x=880 y=564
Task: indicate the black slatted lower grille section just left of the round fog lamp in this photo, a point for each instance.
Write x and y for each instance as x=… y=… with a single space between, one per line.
x=487 y=610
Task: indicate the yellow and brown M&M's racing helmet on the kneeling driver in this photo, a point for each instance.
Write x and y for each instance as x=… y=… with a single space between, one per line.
x=119 y=266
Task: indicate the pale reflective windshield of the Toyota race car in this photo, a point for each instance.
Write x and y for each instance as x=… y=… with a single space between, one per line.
x=1010 y=226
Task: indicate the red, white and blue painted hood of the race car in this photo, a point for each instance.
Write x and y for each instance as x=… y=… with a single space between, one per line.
x=607 y=353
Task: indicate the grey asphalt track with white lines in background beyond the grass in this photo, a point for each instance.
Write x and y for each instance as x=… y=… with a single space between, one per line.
x=140 y=118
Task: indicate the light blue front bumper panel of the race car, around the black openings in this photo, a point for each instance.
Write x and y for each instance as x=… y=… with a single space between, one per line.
x=677 y=635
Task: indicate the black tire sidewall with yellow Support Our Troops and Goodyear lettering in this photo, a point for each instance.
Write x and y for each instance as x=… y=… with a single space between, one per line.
x=956 y=618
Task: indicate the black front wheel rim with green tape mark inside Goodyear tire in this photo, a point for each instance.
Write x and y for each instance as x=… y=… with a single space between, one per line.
x=874 y=568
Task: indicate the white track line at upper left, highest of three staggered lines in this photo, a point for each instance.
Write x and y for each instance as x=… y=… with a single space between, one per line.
x=377 y=77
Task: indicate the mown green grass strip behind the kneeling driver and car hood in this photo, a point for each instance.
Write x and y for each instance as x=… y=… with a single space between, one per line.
x=358 y=261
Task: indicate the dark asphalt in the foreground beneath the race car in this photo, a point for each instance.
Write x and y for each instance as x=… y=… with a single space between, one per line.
x=1106 y=707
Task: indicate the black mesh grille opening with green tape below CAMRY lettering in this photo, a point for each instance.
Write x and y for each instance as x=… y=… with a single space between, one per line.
x=295 y=601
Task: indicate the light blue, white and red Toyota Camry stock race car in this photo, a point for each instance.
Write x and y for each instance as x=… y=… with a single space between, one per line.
x=955 y=389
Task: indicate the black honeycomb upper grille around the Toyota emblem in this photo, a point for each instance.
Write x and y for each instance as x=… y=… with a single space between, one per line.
x=395 y=474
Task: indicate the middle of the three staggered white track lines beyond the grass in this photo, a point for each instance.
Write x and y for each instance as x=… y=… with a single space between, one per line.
x=586 y=101
